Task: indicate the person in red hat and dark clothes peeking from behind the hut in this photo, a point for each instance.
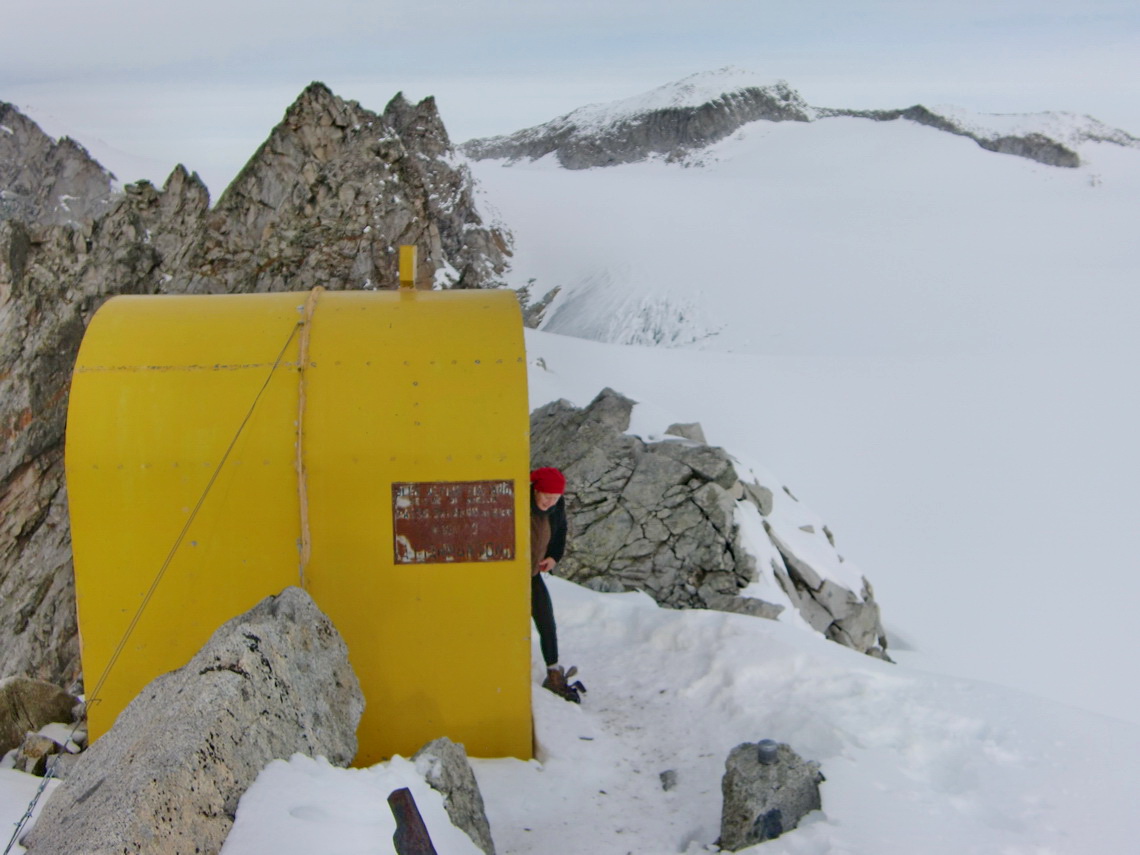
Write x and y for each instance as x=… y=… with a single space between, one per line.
x=548 y=544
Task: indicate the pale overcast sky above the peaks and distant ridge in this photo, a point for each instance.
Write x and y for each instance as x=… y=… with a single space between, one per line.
x=203 y=84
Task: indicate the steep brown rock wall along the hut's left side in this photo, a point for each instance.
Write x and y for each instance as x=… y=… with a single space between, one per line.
x=52 y=281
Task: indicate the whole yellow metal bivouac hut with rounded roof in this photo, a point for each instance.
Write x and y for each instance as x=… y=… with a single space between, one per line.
x=372 y=447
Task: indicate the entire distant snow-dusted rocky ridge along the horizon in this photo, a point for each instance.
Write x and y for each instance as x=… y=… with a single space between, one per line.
x=680 y=119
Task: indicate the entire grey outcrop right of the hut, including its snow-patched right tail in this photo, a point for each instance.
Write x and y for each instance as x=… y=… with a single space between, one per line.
x=663 y=518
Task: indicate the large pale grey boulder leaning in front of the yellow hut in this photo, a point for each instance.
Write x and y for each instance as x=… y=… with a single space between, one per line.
x=168 y=777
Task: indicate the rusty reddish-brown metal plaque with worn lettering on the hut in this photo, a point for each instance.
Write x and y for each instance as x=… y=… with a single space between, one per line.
x=451 y=522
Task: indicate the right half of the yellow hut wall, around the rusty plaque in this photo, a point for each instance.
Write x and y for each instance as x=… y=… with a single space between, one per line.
x=434 y=393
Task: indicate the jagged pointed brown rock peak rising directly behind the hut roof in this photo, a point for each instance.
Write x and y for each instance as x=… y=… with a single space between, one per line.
x=331 y=196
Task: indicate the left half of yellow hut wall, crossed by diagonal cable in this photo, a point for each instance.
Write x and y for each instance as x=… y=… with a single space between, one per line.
x=156 y=403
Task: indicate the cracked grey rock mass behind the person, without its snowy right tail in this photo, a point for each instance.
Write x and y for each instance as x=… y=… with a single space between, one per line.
x=647 y=517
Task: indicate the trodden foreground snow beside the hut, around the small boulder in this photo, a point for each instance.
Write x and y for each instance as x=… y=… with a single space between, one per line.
x=915 y=763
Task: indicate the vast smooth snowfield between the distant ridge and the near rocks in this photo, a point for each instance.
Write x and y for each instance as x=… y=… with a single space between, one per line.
x=930 y=343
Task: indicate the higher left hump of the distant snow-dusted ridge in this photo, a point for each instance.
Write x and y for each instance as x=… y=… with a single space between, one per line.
x=607 y=137
